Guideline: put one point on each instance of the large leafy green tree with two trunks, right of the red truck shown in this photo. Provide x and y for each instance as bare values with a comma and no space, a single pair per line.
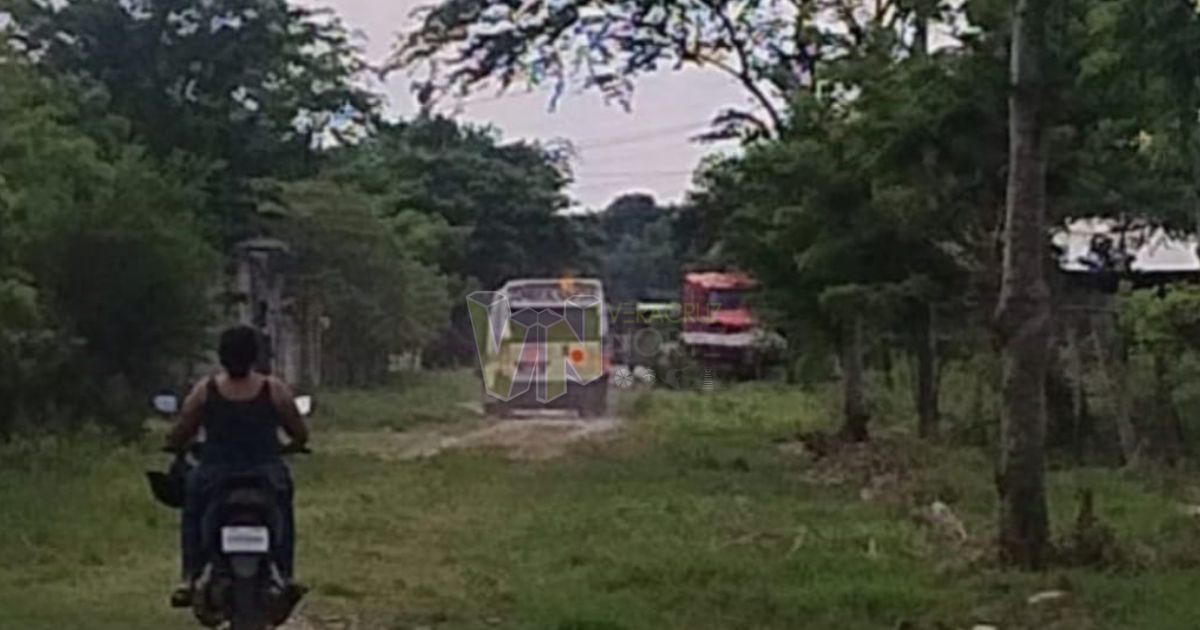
873,195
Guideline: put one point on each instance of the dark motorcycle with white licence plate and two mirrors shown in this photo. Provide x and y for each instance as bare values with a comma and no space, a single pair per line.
241,586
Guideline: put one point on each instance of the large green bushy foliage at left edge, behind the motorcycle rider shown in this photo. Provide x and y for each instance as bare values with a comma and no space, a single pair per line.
104,269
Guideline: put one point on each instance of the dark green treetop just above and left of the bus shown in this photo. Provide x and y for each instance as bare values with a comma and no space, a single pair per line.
481,212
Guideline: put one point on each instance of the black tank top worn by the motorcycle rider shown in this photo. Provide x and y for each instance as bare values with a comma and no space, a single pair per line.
241,434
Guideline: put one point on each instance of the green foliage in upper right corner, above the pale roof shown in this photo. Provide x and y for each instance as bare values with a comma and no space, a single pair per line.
1124,112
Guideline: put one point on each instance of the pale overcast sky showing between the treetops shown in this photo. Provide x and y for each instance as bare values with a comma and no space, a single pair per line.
645,151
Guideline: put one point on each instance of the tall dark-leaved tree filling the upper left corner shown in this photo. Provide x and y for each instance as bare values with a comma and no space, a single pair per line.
253,88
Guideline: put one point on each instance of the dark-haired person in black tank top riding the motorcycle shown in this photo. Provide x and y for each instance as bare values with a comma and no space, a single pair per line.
242,412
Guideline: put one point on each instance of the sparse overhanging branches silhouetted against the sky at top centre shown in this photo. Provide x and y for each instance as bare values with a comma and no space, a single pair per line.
773,49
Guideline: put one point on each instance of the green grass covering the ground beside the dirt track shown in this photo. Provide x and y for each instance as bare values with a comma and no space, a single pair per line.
693,520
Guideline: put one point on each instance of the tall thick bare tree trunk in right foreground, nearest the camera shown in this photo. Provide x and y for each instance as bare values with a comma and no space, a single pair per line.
1023,315
